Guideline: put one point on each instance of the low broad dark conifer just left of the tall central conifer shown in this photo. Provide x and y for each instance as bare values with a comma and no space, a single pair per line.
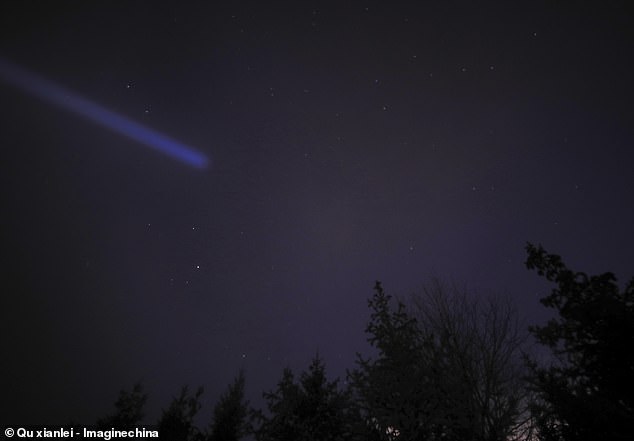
313,409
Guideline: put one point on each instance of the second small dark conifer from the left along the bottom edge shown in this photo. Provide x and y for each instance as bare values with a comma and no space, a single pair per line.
177,422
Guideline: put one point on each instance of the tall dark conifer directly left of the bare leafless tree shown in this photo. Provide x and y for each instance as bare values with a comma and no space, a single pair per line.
396,392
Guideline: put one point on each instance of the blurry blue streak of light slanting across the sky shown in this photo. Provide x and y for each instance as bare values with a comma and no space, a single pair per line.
42,88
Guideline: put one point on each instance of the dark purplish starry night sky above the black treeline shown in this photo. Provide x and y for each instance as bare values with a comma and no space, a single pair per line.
377,140
